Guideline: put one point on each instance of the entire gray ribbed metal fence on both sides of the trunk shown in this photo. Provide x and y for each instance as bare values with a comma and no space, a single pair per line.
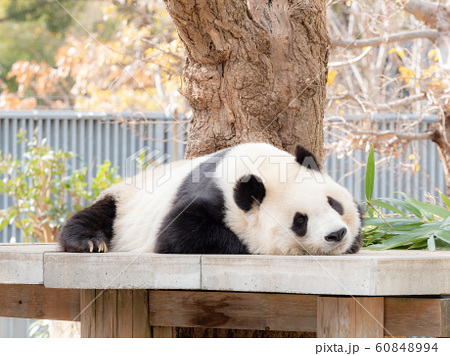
96,137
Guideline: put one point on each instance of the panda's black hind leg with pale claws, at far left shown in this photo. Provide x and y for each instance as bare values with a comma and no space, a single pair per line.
94,223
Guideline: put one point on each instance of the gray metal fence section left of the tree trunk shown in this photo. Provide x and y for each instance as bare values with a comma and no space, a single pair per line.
93,136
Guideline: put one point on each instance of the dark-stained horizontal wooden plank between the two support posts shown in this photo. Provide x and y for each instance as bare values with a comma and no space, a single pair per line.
230,310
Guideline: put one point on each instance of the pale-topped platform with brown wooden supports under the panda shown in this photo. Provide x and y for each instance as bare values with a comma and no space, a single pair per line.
371,294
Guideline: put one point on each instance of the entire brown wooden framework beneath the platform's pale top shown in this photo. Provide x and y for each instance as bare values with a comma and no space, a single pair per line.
142,313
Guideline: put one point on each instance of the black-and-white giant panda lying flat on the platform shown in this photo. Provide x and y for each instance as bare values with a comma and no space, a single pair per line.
249,199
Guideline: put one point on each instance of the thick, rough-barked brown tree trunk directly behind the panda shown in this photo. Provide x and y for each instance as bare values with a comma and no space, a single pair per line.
256,71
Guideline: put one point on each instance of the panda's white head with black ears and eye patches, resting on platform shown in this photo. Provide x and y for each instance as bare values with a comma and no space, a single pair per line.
289,206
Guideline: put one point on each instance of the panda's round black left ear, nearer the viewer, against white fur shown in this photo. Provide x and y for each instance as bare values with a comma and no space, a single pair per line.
249,190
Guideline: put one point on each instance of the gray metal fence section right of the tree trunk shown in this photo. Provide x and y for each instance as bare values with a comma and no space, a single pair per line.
393,173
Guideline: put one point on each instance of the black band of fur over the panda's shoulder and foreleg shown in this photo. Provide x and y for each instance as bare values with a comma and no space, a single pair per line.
196,222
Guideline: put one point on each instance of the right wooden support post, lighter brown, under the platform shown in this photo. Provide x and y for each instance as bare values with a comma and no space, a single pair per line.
350,317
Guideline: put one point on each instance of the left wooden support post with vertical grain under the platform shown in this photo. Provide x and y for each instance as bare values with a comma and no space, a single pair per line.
114,313
